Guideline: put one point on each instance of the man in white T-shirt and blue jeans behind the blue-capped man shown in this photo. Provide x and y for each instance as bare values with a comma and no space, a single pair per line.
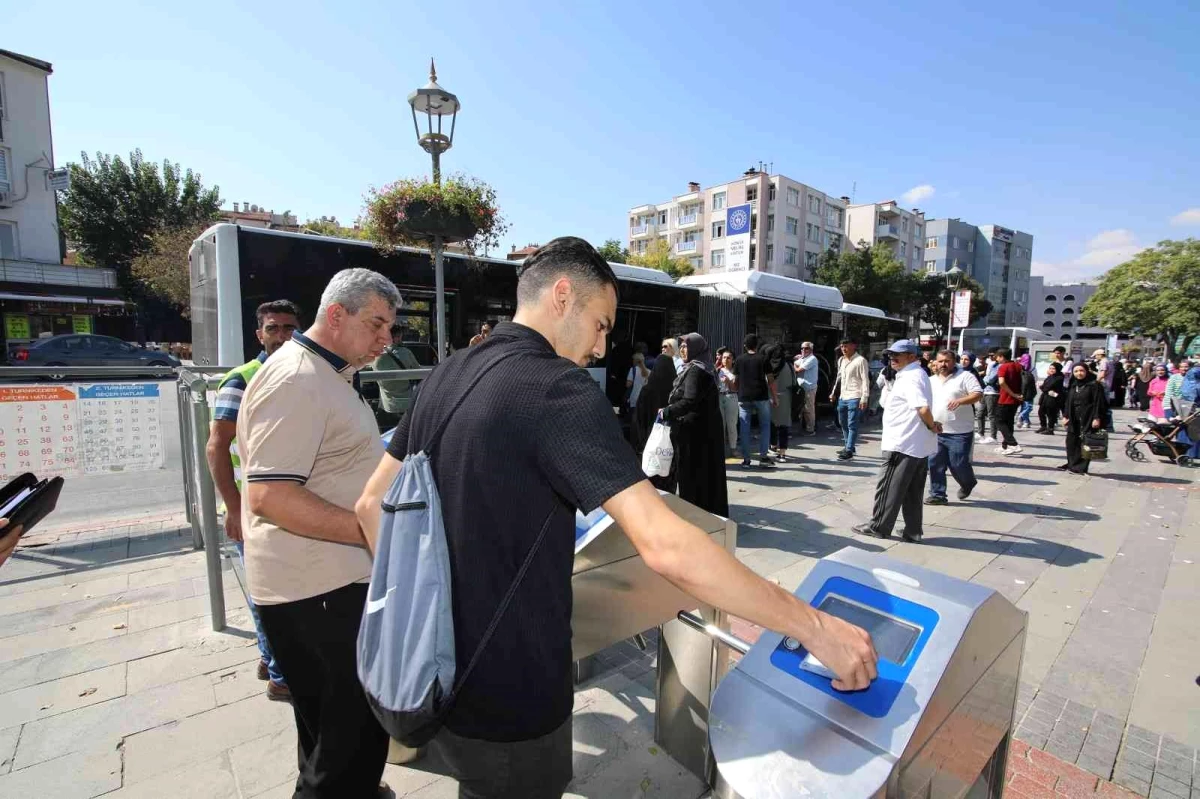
956,391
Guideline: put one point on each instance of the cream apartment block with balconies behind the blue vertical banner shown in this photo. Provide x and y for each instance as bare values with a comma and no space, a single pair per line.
791,224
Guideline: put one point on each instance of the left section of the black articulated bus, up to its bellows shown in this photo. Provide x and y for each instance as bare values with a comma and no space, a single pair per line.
235,269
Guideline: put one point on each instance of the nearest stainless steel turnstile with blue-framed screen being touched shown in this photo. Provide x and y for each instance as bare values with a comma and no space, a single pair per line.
935,724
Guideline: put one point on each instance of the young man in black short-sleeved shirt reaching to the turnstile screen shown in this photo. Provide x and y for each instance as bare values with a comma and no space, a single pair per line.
560,447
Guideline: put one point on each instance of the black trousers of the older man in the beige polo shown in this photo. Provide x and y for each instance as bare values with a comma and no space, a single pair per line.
341,748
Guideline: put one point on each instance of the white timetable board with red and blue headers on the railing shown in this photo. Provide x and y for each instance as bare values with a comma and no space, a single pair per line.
81,429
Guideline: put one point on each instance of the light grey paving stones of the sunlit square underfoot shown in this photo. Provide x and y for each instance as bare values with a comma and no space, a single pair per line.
115,683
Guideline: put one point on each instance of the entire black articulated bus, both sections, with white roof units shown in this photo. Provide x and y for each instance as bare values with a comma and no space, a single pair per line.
235,269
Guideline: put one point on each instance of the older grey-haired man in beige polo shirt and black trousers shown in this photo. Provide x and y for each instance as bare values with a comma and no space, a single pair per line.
309,444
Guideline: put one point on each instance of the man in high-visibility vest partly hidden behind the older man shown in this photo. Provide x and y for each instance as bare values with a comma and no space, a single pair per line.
275,325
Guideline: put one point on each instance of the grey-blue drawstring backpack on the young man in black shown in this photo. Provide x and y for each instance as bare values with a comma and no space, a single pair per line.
406,648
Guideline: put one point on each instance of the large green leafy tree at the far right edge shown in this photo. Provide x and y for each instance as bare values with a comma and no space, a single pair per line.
1155,293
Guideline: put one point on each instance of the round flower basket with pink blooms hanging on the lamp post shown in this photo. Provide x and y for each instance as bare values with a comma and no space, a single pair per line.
415,212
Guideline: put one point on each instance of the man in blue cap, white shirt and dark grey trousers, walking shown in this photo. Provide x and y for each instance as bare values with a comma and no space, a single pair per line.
910,438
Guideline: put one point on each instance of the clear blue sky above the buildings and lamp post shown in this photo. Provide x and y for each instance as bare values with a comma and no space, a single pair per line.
1076,124
